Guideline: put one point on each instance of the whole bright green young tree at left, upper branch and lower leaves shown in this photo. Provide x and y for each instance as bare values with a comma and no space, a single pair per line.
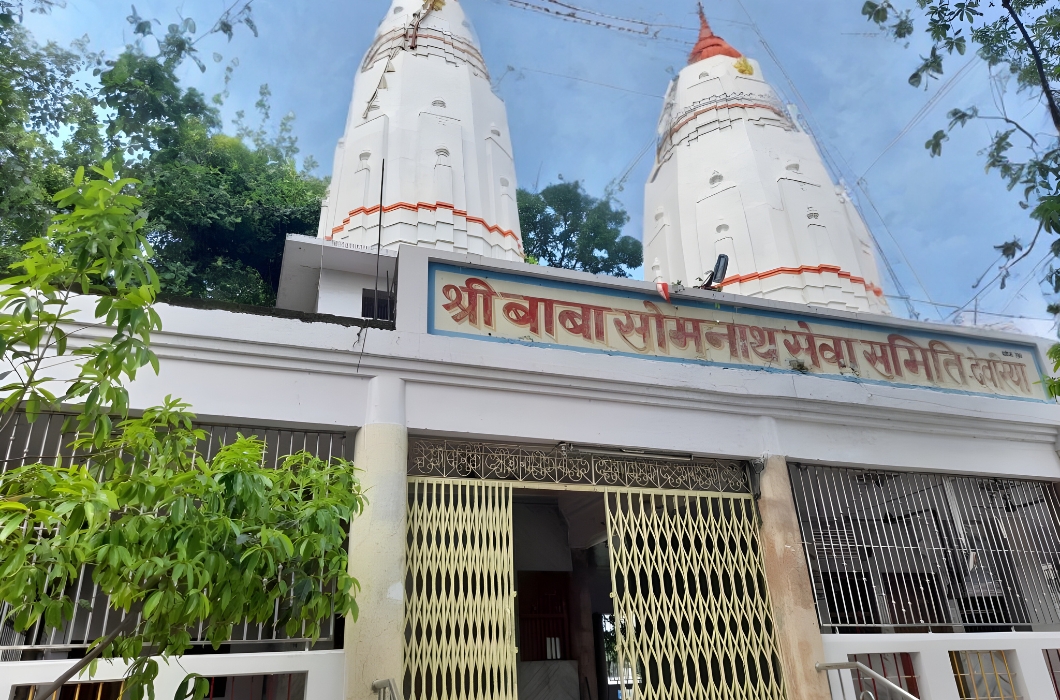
175,541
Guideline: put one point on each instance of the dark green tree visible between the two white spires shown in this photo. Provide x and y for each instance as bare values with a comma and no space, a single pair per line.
563,226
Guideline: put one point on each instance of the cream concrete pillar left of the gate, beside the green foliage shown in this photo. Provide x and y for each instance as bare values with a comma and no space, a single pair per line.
374,644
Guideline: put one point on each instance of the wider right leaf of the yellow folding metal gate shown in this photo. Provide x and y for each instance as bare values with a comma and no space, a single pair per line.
693,612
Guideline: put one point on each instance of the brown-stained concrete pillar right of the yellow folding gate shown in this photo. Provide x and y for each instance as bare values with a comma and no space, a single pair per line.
788,576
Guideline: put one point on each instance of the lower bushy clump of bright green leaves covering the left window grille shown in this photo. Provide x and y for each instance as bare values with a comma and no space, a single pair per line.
182,541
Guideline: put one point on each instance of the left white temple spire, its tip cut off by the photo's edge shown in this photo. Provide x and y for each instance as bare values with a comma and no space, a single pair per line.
422,101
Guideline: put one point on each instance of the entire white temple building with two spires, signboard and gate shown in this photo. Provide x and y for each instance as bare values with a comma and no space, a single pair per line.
589,488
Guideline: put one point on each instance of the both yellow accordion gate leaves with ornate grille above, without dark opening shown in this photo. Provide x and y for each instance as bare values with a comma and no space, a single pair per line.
693,612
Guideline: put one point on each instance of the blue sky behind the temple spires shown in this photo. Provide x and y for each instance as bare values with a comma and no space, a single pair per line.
937,219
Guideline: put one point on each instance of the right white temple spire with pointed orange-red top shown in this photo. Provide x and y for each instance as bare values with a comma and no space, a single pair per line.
735,176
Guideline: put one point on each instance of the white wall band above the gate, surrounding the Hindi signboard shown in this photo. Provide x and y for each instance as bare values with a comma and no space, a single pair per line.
277,371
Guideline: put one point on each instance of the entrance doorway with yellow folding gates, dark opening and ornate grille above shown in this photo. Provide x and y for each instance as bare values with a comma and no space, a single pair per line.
520,586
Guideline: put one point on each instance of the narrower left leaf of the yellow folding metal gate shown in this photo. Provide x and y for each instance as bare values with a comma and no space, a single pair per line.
460,612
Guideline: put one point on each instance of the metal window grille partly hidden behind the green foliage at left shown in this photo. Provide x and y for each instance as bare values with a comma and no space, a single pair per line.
23,443
